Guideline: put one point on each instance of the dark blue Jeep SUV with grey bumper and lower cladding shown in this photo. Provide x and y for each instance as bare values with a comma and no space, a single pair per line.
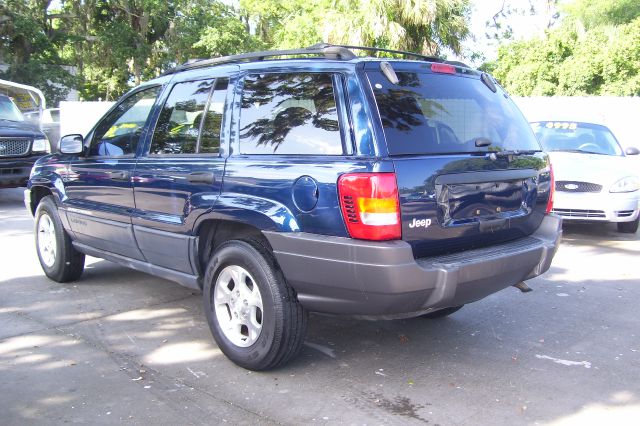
285,182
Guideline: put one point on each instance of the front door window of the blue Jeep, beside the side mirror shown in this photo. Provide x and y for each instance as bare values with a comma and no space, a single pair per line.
119,132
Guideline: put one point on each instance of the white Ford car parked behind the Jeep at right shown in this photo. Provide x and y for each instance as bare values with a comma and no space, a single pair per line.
595,180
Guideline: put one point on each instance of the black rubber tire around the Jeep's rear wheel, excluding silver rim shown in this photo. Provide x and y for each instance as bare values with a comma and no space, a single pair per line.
283,319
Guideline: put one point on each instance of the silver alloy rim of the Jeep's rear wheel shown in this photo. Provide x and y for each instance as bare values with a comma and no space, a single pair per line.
238,306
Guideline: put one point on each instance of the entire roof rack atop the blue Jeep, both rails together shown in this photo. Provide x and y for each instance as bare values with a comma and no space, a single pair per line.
328,51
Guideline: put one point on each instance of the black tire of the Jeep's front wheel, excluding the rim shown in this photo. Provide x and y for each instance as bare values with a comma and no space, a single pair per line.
68,263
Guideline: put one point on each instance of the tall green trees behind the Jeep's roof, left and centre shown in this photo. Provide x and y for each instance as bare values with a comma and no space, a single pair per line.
108,46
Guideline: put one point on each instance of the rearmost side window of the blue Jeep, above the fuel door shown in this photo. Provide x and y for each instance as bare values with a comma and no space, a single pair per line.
293,113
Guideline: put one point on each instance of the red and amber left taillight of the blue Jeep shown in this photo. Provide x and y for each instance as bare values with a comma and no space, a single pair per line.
370,206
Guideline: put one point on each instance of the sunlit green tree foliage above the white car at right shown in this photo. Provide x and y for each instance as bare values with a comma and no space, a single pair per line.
595,50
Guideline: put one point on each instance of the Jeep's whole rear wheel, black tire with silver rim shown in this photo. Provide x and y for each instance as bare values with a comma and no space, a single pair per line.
253,314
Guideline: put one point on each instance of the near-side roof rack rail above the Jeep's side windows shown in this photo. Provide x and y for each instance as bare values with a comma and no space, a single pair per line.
325,50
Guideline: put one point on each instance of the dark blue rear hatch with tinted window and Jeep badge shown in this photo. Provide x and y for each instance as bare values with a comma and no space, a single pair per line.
469,169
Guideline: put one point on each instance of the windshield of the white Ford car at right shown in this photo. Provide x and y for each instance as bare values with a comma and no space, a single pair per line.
576,137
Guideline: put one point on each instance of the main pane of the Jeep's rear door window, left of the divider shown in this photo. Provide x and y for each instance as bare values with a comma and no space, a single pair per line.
179,123
